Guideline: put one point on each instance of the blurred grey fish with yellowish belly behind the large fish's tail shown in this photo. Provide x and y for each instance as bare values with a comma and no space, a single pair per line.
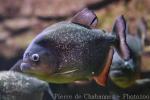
125,73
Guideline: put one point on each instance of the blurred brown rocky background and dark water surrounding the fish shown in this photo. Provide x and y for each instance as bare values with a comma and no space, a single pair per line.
22,20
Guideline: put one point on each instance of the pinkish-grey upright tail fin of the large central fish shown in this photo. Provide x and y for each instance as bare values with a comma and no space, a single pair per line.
120,30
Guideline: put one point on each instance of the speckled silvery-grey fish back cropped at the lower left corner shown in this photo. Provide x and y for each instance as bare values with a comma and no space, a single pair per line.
16,86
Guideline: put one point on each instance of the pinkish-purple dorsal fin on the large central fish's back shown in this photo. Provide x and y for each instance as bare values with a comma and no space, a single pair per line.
86,18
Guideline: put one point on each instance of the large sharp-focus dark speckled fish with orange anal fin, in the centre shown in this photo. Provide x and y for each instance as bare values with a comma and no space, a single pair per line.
75,50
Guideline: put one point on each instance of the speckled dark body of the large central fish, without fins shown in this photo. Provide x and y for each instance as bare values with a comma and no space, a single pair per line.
71,51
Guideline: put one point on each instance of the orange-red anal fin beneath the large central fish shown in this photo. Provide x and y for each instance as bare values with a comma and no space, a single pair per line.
102,78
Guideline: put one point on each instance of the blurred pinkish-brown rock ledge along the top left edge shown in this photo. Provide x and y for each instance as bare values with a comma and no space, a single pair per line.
27,8
